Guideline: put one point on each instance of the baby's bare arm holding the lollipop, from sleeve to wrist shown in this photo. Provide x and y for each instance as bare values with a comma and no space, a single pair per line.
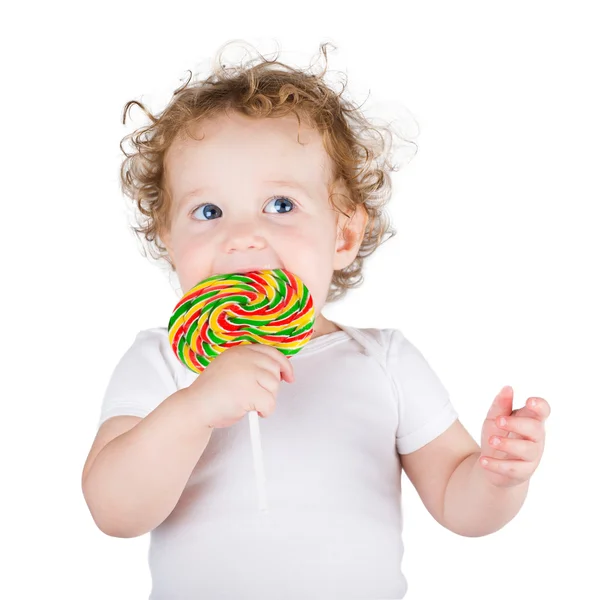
136,479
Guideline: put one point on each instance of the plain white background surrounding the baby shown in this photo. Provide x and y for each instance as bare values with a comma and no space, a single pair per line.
493,274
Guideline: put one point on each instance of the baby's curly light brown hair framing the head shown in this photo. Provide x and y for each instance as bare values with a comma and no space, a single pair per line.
357,148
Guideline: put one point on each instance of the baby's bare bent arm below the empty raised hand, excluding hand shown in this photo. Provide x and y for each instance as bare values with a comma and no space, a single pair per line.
453,488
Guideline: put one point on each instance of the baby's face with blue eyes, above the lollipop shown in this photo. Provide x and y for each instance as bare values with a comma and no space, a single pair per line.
249,196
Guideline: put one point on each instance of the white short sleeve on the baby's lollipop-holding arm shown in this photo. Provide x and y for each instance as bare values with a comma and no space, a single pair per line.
142,379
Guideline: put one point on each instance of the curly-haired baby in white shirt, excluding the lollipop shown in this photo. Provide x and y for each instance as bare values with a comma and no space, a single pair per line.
265,167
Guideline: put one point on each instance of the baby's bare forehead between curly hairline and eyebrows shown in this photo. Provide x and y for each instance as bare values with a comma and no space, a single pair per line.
265,148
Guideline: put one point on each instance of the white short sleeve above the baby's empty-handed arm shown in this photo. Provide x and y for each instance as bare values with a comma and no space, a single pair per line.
424,407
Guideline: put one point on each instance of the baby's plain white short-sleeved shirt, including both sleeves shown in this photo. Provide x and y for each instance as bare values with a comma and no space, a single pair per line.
362,396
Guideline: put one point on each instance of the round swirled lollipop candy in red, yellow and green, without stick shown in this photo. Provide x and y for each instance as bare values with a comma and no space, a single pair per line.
271,307
